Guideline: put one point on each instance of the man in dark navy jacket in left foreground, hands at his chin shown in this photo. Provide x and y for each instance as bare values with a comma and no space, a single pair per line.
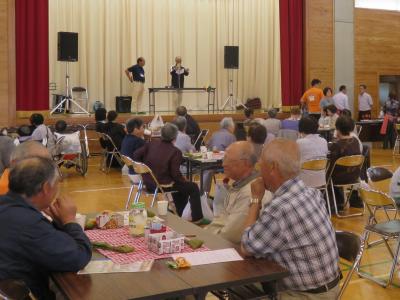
32,246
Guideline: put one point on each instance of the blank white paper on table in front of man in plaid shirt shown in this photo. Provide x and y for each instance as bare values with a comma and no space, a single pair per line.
210,257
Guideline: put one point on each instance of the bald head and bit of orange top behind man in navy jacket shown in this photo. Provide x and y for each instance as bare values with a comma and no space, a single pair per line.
22,151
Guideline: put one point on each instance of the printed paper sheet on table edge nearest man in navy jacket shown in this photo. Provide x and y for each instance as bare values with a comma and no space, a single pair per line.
107,266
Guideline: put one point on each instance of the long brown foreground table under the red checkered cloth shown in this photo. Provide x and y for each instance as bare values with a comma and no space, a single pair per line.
162,282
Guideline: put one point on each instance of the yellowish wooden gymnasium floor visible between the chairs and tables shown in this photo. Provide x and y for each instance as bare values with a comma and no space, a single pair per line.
98,191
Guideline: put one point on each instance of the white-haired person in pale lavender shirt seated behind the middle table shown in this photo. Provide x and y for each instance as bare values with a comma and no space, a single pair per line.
220,140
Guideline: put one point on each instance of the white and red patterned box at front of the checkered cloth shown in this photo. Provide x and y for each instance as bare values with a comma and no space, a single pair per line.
166,242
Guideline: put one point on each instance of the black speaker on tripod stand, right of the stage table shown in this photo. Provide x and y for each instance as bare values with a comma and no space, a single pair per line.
231,62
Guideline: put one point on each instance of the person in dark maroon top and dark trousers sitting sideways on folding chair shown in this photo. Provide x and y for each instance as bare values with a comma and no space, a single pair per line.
164,159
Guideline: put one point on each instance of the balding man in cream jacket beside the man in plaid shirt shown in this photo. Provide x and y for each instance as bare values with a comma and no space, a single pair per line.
238,165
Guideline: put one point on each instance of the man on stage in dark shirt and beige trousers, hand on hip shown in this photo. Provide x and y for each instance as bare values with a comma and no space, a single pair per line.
136,76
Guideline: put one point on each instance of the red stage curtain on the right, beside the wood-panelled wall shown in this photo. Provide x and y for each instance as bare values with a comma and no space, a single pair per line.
291,26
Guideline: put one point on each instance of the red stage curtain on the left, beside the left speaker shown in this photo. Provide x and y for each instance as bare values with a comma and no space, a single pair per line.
32,54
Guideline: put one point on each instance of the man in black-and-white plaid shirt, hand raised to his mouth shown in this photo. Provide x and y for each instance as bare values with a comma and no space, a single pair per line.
294,229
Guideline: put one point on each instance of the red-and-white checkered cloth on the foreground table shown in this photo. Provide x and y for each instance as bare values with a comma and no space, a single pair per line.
120,236
